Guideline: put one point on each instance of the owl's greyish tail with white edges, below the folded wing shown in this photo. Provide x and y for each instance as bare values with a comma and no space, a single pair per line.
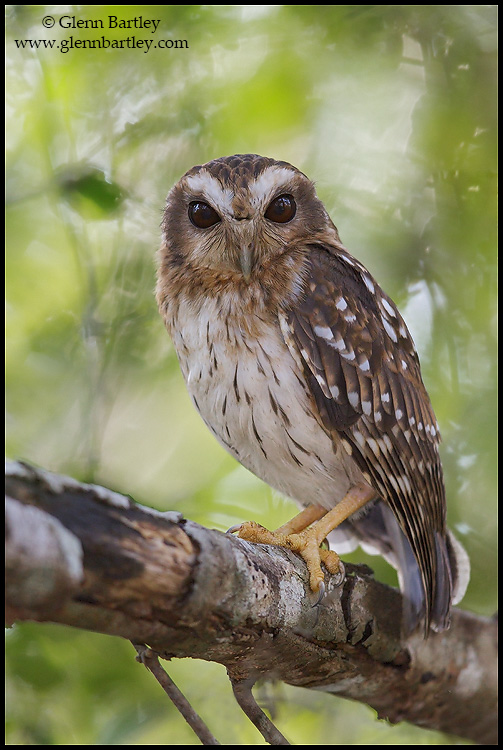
378,533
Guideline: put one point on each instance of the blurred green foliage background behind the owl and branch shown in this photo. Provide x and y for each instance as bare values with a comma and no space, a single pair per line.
391,109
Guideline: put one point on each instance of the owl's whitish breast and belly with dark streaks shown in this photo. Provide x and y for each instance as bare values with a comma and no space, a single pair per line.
251,395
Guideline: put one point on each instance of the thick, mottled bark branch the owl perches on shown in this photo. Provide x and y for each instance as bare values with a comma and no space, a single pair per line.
84,556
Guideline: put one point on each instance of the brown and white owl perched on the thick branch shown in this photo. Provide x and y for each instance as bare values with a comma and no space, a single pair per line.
304,370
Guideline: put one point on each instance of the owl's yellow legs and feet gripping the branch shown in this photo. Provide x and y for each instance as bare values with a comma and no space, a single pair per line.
305,539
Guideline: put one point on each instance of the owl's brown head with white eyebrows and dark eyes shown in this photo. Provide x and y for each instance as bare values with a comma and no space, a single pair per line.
238,215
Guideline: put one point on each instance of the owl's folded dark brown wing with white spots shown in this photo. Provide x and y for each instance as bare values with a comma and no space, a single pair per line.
363,371
